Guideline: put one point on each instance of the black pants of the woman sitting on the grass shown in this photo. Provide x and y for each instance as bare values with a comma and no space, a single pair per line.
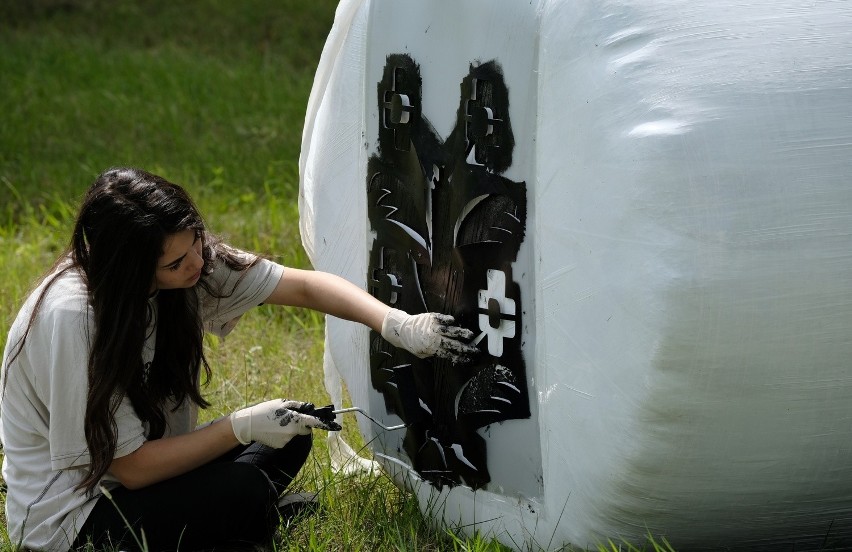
228,504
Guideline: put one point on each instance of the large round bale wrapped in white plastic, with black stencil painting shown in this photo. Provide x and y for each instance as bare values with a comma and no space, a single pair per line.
644,209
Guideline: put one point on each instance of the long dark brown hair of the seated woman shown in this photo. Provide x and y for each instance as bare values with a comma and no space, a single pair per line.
118,236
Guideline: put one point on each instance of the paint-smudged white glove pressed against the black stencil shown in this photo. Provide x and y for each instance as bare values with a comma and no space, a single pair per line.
428,334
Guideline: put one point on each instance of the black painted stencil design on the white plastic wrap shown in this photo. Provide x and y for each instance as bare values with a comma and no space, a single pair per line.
448,227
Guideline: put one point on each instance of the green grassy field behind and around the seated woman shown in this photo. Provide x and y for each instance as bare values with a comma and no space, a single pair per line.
210,94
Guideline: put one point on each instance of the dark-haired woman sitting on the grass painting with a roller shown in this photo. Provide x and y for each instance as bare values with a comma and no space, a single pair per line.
101,381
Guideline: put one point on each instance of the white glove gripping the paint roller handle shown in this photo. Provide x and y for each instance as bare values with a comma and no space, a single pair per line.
273,423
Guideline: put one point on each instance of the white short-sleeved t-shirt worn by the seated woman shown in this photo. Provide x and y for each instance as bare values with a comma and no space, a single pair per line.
43,406
